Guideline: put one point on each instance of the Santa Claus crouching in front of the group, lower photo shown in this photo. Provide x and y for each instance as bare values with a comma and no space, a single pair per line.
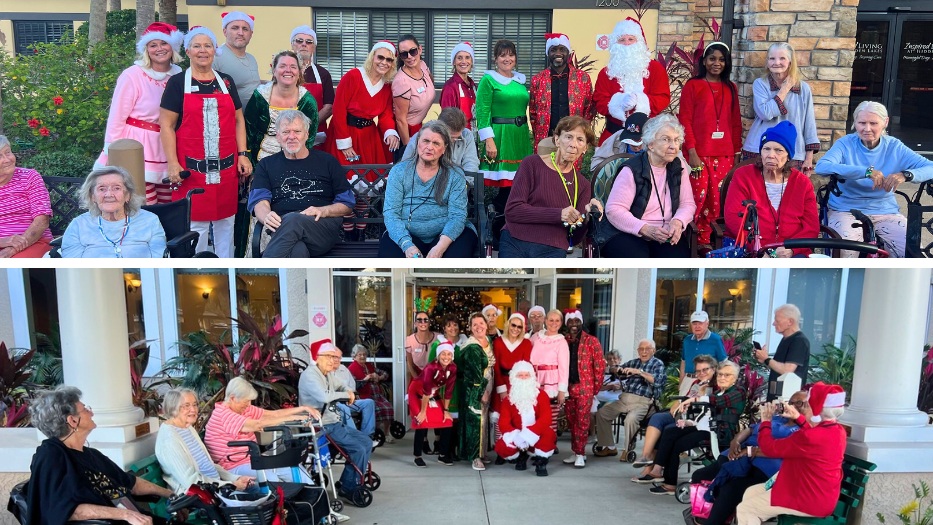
526,421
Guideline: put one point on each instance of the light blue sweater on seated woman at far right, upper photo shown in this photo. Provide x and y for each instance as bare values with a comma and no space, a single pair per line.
849,159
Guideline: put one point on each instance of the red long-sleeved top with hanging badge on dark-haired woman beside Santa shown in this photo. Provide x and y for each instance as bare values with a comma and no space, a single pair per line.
698,111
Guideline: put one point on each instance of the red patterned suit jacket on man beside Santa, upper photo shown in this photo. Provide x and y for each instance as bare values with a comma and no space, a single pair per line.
579,92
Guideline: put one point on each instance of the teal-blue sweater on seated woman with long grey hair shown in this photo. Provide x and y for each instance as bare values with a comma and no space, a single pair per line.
410,208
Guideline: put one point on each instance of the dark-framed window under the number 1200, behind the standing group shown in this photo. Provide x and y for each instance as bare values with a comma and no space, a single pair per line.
345,37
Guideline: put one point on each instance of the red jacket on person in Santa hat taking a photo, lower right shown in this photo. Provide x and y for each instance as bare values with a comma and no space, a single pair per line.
811,472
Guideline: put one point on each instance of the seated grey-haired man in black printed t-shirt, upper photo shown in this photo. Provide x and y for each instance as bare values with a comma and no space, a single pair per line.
299,194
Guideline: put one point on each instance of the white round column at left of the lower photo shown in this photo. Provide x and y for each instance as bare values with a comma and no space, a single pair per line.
95,348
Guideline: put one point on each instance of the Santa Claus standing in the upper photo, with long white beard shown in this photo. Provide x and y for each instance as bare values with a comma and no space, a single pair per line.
632,82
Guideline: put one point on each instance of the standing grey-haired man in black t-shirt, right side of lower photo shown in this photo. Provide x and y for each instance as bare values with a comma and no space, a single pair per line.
793,352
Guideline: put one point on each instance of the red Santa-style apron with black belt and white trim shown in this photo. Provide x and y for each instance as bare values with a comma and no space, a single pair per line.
209,152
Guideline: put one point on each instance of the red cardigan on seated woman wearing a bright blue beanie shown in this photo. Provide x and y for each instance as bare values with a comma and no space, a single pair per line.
799,218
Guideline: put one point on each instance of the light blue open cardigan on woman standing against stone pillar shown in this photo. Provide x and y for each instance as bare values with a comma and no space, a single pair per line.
799,108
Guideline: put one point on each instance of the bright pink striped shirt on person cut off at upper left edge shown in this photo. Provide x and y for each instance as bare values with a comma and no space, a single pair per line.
22,199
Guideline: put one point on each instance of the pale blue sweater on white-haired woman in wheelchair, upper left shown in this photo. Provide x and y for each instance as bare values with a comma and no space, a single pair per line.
144,237
